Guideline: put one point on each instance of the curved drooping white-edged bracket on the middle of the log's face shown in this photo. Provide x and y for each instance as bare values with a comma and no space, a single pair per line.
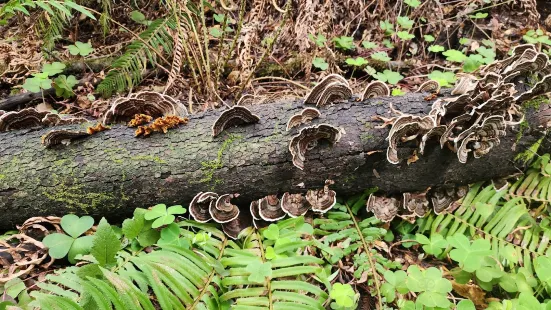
308,137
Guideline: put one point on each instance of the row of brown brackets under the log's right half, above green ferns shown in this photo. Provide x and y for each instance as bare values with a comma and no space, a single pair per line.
412,205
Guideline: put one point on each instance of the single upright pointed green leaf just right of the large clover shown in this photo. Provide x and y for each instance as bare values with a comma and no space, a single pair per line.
106,245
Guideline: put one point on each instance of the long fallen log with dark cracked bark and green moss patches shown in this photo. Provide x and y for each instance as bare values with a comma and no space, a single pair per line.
112,172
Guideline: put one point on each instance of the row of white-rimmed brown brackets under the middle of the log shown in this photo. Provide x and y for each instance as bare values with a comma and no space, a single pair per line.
207,206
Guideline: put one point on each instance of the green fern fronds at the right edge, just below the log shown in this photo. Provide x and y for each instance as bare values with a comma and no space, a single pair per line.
510,219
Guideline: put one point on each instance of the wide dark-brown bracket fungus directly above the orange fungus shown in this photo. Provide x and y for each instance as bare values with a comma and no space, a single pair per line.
149,103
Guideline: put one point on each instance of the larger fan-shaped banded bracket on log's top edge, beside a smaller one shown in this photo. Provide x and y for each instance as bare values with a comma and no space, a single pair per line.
333,88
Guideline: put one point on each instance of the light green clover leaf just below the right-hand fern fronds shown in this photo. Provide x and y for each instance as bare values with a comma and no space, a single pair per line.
469,255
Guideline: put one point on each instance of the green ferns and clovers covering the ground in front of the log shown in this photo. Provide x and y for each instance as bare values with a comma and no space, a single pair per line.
491,252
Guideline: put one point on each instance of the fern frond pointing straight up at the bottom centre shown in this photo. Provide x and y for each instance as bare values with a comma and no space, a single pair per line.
287,287
